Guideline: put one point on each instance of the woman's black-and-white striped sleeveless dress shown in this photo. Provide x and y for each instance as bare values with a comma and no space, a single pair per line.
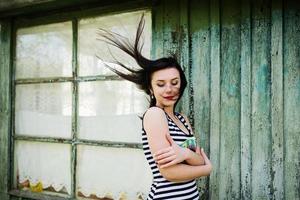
161,188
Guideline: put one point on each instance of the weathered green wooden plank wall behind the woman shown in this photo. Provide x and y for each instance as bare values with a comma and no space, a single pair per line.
242,60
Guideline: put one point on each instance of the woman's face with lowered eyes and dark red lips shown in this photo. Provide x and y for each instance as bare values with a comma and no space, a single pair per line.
166,86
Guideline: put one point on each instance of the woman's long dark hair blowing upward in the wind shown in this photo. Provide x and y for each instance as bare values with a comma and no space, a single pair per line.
141,77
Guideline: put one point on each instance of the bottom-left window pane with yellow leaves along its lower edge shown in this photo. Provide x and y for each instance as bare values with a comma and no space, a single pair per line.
42,167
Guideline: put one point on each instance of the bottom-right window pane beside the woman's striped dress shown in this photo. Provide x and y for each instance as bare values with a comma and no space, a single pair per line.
120,173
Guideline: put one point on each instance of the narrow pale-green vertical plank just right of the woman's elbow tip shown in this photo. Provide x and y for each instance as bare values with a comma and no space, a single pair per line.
215,55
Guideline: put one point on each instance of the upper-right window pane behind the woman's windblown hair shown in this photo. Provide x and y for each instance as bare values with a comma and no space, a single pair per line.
88,46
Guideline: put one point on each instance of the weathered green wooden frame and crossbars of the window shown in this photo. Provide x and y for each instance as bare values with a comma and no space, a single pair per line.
74,17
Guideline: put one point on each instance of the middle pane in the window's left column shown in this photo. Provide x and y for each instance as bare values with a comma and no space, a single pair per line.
44,110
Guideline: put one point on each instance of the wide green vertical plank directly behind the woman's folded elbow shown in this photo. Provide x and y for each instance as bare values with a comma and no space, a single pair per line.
200,77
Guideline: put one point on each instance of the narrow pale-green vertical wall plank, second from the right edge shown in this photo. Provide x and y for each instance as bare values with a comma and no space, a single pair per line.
277,188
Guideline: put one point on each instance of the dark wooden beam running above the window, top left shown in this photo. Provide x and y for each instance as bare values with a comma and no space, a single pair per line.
75,7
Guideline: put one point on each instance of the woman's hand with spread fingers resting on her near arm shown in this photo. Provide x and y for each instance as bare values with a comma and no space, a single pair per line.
171,155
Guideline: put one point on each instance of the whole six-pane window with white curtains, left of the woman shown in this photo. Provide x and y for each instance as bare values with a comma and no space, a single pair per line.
76,126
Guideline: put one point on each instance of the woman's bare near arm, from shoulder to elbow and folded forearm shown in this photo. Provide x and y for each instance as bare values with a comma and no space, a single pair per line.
156,127
